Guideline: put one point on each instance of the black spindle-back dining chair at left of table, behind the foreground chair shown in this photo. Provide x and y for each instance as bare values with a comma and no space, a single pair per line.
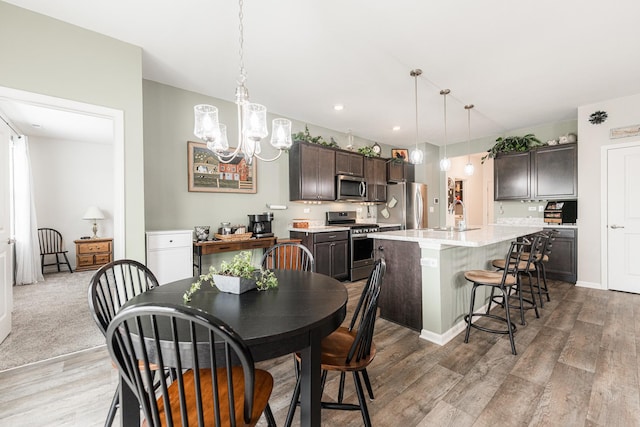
111,287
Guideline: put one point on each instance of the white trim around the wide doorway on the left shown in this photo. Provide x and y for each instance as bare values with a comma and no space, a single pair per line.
117,116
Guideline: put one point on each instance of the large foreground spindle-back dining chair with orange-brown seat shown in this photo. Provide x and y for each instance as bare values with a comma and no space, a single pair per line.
216,381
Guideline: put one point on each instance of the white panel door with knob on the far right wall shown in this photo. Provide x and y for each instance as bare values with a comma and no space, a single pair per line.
623,219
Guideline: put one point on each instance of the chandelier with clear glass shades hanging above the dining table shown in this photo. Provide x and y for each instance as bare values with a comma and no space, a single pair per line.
252,122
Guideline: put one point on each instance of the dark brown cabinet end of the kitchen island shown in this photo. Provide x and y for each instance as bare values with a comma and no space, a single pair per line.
401,293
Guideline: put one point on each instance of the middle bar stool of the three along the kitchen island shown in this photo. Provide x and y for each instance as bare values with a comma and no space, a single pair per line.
525,267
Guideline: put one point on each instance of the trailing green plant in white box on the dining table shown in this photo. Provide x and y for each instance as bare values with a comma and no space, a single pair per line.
240,266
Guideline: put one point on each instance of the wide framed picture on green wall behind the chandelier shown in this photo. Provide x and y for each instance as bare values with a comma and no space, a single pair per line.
207,174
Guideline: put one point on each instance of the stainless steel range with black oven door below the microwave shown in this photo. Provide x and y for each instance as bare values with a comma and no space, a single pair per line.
361,257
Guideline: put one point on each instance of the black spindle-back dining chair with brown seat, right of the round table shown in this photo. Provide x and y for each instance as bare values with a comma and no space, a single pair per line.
350,349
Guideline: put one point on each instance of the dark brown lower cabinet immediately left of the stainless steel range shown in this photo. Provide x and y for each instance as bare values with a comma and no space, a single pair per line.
330,251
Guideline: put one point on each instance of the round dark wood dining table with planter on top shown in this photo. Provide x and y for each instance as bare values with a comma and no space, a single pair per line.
294,317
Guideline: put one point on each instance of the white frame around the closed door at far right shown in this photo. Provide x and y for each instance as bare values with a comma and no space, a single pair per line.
604,212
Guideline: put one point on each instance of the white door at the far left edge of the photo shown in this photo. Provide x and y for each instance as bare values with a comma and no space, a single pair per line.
6,290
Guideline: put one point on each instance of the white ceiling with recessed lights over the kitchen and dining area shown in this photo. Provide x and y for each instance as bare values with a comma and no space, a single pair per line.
522,63
